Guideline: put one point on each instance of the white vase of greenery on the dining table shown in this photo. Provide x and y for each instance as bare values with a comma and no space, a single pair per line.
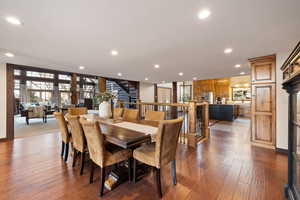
104,99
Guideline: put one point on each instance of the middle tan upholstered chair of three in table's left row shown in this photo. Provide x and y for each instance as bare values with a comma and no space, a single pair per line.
78,139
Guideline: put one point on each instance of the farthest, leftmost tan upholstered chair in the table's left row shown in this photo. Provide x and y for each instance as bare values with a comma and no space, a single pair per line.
65,135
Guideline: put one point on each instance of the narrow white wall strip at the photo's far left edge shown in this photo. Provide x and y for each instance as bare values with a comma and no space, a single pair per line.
2,100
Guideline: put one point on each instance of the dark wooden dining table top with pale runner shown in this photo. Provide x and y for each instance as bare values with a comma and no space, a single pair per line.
127,134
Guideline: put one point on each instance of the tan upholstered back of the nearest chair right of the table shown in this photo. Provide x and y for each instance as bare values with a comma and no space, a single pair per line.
166,141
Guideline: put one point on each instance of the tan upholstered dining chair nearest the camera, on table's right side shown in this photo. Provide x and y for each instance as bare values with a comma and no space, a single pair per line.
162,152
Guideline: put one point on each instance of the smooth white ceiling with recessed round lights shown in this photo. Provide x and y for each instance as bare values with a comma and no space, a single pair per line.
65,34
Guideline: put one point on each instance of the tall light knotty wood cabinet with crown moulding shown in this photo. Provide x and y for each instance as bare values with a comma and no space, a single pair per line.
263,106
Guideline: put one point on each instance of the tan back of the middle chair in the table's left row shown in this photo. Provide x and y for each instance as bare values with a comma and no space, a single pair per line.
78,138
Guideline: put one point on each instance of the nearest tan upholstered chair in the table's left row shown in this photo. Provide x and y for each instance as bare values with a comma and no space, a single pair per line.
99,152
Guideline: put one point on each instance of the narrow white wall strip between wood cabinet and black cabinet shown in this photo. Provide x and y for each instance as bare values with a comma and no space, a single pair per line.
281,105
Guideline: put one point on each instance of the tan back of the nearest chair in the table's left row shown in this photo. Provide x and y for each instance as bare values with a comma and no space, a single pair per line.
95,140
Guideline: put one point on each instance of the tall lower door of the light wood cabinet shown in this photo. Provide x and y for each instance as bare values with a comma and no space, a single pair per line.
263,114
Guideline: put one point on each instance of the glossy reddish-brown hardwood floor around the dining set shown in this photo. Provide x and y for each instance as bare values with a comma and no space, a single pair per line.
225,167
